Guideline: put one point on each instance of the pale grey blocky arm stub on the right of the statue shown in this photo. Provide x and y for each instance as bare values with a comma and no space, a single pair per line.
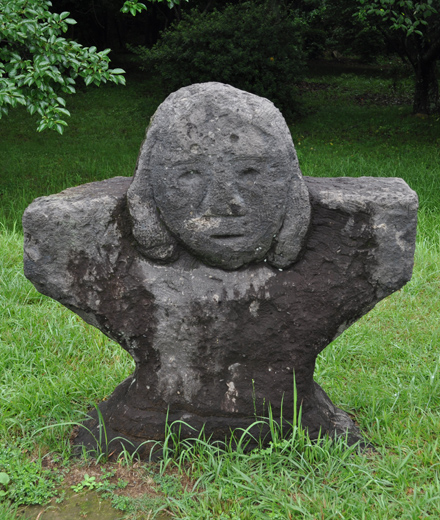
388,207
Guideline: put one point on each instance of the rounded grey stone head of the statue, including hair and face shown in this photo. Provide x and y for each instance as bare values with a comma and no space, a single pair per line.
218,175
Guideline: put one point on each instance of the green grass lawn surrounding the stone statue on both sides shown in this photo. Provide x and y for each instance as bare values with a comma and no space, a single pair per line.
385,369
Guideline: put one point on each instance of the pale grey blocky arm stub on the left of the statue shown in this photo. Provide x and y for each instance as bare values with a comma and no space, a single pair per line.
72,240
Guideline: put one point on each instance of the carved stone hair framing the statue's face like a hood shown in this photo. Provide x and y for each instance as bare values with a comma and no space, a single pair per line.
154,239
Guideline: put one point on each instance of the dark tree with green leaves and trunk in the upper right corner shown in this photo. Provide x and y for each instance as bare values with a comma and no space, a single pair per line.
412,29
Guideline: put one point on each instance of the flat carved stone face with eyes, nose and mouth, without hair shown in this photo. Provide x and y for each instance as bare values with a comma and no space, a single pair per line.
225,198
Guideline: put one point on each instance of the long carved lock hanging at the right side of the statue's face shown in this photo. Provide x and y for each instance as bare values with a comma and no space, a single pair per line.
289,241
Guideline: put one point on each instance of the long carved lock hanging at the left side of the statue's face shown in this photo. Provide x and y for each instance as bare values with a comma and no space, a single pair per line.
154,239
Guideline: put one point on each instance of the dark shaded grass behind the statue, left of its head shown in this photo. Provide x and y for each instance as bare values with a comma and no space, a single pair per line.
102,140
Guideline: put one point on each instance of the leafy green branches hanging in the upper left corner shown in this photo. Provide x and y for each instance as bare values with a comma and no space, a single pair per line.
39,66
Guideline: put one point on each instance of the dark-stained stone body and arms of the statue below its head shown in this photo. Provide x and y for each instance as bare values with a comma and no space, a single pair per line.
205,339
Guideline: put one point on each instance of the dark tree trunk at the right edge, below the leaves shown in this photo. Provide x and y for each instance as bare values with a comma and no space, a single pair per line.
426,96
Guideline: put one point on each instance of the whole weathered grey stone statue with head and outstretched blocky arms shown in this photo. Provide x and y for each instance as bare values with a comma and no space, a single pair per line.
220,269
